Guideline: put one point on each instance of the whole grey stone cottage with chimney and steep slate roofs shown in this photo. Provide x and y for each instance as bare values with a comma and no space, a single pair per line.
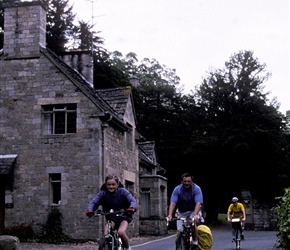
60,137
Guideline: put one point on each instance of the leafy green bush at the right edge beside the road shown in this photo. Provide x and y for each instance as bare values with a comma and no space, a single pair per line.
283,212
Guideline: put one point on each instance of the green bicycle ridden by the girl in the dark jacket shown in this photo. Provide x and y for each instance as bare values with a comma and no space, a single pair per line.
111,241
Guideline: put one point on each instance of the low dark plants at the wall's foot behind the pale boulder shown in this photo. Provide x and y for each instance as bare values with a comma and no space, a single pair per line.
23,231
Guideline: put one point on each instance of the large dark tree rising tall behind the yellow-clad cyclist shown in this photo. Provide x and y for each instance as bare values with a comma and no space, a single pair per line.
242,134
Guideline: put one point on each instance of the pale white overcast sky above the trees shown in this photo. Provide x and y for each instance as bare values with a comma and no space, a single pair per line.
194,36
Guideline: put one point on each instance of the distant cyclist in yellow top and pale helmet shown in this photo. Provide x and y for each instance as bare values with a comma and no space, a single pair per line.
236,210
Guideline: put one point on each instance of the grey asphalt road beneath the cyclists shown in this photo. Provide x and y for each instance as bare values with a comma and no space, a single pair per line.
254,240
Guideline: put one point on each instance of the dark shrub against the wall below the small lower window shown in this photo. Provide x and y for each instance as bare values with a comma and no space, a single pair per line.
52,231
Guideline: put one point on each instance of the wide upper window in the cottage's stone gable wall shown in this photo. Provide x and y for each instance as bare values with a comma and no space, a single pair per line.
59,119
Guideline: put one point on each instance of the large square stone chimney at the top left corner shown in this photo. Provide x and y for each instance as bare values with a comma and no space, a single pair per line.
24,29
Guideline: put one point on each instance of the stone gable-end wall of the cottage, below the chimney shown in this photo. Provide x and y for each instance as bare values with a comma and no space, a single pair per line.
25,86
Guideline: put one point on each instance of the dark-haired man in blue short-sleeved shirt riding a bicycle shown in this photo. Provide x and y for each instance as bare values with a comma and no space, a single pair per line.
187,198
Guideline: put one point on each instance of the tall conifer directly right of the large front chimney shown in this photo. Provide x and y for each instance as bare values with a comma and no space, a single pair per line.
59,26
